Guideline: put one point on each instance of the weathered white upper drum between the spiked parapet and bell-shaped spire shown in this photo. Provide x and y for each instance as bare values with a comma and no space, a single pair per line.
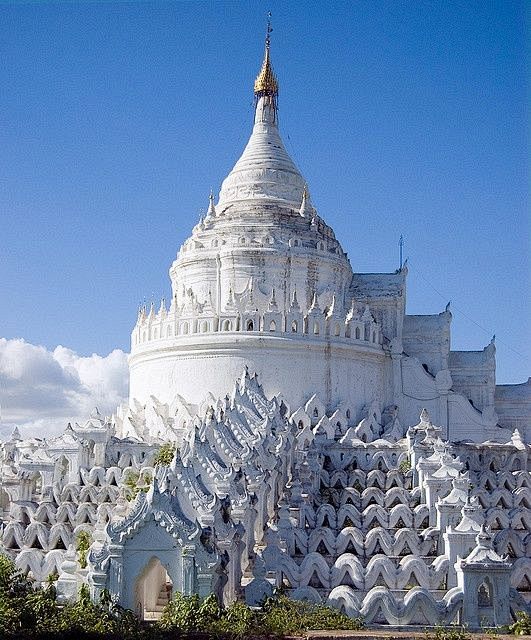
267,257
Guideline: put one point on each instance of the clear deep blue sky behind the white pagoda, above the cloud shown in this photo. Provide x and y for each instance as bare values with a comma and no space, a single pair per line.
406,118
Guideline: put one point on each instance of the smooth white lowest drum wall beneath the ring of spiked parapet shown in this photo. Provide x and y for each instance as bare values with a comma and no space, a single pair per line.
295,367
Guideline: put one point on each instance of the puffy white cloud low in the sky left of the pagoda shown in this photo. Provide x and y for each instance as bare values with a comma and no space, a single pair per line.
42,390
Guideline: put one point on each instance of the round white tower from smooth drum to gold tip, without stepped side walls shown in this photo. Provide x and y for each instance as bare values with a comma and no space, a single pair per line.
263,283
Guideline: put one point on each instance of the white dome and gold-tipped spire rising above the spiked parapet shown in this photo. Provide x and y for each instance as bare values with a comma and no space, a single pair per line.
263,227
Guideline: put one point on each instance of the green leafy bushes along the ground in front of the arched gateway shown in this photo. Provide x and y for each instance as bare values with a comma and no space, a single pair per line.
27,611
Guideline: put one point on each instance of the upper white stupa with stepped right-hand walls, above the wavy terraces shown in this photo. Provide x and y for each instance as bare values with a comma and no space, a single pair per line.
263,282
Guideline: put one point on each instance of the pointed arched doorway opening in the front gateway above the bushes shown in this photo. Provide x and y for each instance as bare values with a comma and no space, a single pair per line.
153,590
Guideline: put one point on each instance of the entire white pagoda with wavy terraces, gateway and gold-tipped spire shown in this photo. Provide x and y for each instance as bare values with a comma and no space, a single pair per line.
290,388
